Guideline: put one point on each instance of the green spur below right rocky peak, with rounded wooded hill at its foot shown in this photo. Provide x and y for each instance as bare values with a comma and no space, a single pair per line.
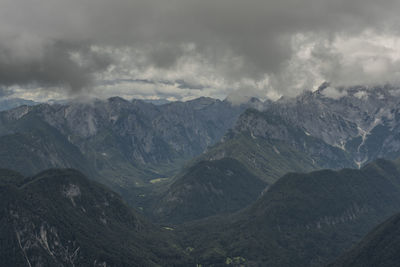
264,146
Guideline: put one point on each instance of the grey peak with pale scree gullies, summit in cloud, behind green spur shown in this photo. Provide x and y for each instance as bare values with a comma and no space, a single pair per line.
363,122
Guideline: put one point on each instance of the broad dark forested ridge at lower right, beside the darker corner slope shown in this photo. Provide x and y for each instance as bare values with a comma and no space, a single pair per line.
301,220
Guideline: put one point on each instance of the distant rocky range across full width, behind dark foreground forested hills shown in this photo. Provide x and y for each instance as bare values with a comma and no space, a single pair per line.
130,145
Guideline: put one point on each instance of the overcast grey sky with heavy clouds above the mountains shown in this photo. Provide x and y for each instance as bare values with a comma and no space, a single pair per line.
182,49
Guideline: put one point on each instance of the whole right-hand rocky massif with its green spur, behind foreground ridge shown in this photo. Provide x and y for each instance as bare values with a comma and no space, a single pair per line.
309,132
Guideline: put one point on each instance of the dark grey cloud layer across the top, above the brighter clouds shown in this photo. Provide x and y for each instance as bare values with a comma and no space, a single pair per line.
243,38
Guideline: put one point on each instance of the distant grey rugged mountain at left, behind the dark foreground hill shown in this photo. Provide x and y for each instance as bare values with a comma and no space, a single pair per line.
124,144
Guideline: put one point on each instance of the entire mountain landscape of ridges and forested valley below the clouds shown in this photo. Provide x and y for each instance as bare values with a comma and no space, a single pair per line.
220,184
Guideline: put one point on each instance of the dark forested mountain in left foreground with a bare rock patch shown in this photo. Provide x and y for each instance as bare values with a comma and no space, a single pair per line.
60,218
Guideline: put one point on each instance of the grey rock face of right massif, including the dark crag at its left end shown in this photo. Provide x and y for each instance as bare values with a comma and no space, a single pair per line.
363,123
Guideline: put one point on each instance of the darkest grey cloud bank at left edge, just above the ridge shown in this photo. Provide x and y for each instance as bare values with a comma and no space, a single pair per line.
55,67
